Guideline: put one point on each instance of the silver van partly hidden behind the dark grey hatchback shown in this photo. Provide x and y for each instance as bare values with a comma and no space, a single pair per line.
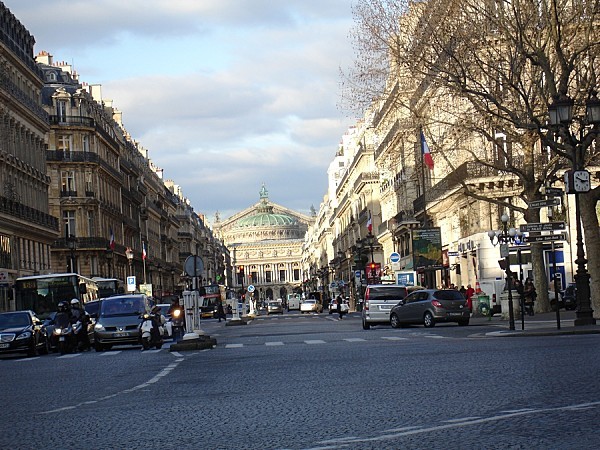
379,301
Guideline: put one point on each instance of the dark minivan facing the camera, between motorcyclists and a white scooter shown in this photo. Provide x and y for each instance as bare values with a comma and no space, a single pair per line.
118,320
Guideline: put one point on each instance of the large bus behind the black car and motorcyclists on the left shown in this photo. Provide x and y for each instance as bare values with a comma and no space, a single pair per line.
42,293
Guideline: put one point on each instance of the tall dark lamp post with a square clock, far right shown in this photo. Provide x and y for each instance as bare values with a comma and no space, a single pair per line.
577,182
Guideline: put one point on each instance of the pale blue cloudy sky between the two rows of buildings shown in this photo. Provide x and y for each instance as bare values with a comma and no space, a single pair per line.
224,94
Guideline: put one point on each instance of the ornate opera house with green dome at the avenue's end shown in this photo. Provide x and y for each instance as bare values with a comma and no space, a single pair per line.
265,244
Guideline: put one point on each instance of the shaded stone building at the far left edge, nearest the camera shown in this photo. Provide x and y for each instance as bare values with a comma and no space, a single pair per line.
27,229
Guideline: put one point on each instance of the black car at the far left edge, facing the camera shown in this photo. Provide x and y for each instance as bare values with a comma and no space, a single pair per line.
22,332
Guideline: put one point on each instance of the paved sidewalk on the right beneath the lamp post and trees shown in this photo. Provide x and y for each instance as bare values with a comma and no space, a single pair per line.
544,324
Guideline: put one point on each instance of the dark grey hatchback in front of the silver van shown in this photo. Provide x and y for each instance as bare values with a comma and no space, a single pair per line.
429,306
